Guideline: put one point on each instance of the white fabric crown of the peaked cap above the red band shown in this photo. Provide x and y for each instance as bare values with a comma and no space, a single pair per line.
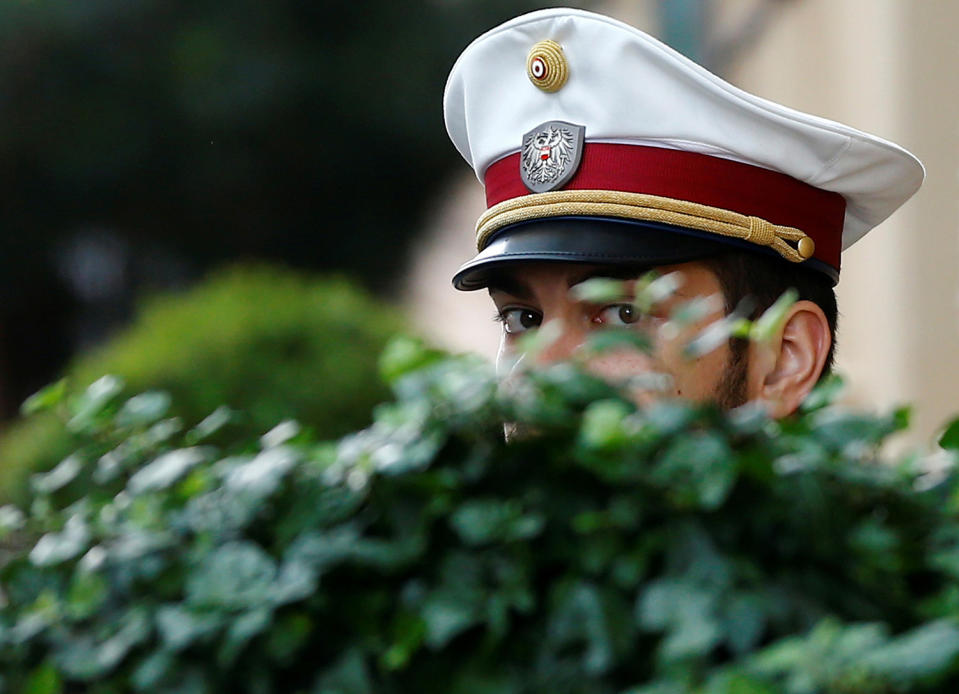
626,88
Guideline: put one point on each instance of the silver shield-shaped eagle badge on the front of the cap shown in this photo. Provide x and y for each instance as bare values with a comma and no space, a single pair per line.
551,154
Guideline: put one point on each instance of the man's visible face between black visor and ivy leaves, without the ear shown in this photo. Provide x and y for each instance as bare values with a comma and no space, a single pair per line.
535,294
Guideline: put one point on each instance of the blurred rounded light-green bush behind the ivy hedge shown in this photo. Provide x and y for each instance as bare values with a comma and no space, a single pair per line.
269,342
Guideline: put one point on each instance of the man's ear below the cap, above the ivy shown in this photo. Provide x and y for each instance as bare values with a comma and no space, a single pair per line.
783,370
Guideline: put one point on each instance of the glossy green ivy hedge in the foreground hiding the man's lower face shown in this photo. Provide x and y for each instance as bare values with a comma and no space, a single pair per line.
664,550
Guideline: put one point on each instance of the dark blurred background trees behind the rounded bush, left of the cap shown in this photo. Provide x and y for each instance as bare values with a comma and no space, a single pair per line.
143,142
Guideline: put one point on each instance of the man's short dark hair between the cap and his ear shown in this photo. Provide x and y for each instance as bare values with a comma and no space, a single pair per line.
748,276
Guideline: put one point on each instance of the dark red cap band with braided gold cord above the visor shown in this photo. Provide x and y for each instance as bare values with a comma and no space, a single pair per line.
683,188
